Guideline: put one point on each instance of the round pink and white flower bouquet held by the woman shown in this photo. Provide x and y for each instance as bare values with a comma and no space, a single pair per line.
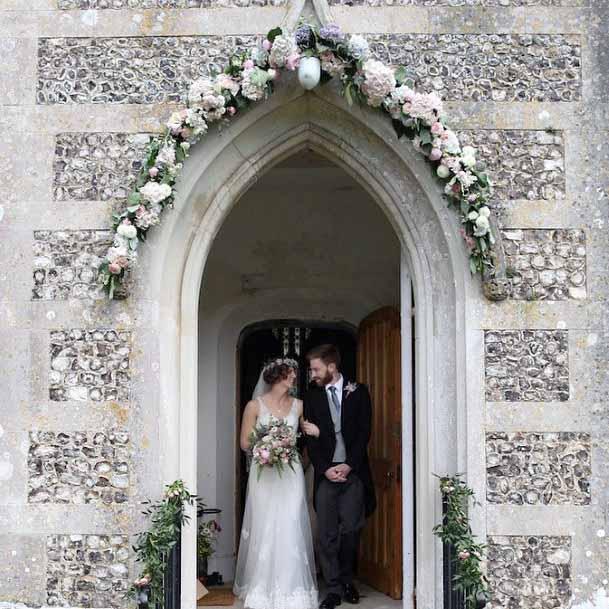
274,445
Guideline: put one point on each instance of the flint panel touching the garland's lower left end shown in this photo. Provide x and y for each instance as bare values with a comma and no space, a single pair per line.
66,263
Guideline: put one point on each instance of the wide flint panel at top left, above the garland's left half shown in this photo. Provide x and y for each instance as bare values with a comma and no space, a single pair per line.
135,70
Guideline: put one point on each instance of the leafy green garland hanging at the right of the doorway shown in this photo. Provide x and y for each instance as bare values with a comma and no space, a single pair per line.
456,531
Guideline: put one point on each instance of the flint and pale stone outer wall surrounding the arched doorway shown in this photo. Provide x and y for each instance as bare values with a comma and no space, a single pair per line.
83,84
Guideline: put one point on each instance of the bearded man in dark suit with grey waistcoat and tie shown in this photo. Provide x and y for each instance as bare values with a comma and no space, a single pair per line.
344,493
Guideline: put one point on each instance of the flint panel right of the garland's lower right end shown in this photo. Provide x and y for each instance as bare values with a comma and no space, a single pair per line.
546,264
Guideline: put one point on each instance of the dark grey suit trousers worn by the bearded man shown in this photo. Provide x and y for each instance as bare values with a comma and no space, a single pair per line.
340,517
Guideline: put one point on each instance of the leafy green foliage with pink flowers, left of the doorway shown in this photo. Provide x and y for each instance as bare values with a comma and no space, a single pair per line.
153,546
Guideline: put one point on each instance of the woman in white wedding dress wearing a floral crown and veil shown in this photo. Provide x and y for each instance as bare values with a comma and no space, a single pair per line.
275,565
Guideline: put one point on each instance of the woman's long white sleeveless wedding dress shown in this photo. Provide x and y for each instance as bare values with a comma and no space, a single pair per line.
275,566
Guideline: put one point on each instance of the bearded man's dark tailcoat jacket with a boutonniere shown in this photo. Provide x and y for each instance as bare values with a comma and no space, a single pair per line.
356,421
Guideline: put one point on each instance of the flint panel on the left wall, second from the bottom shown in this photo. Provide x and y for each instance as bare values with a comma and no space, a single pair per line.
78,467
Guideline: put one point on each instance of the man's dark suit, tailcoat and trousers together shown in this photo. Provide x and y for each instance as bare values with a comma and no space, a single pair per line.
341,506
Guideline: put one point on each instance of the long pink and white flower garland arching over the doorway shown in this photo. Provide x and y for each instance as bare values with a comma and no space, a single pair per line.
249,78
